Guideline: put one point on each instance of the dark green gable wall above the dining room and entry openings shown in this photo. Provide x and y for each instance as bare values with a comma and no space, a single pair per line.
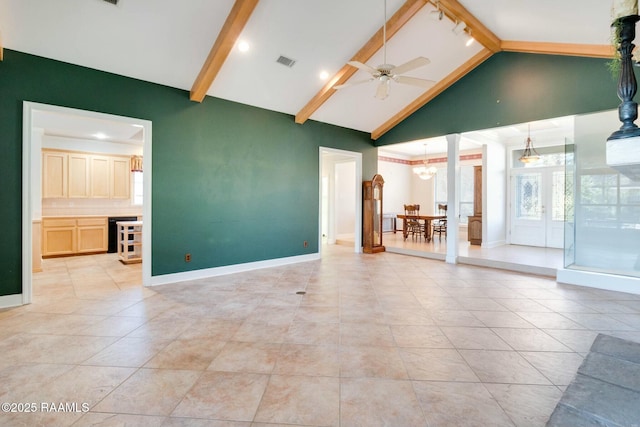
511,88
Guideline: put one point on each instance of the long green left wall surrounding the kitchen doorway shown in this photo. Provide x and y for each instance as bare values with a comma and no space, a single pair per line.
231,183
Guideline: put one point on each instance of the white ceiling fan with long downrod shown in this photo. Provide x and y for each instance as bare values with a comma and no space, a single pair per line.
385,73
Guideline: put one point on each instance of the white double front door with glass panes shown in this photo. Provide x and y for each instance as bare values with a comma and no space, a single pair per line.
537,207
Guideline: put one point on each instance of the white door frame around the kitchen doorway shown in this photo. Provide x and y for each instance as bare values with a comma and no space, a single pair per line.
31,158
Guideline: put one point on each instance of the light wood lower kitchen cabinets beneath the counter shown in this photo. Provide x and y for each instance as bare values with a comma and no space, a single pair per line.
73,235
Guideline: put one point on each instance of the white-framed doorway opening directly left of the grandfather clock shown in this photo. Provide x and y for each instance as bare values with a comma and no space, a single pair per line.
340,198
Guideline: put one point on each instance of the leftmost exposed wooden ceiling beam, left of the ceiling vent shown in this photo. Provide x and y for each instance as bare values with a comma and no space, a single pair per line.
237,19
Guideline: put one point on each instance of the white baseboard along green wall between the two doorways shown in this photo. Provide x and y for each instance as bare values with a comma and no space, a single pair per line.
230,269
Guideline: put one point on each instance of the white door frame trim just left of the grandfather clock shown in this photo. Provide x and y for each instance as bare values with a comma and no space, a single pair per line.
357,158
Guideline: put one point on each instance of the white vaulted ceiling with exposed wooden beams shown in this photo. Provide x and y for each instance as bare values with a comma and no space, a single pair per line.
194,45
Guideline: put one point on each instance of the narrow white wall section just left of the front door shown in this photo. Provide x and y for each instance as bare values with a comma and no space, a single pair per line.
494,195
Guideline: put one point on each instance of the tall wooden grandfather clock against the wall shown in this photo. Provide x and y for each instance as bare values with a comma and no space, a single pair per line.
372,221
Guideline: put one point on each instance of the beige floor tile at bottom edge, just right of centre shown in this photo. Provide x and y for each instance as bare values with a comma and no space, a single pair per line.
379,402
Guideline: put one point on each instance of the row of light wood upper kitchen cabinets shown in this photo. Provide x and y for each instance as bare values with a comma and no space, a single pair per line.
85,175
